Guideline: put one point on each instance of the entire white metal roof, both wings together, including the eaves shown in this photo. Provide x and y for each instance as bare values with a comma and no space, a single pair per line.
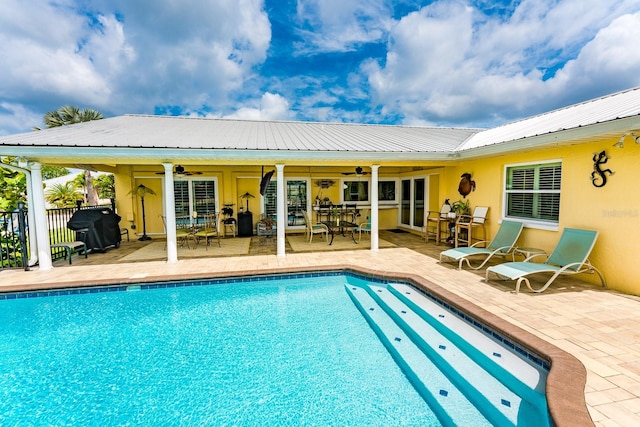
154,136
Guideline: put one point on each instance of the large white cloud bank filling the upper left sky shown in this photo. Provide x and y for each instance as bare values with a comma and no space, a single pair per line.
122,56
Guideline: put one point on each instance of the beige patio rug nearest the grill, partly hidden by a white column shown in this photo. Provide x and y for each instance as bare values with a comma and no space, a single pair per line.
157,251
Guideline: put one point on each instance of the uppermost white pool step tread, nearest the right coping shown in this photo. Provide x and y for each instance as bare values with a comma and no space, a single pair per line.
493,351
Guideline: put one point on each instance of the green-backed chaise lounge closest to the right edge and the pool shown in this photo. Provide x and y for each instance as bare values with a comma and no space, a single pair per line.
569,257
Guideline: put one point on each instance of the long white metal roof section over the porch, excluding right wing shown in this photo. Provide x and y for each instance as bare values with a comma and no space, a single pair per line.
142,131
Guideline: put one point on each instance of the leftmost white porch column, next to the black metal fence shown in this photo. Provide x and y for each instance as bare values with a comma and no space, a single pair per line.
40,218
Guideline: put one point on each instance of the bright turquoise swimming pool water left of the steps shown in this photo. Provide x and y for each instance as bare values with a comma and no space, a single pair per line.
255,352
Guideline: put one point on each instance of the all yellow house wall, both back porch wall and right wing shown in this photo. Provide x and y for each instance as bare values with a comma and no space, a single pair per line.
613,210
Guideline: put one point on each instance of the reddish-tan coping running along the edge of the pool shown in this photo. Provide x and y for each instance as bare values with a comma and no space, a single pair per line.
567,377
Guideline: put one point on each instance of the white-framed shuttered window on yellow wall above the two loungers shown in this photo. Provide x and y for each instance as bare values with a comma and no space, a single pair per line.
533,192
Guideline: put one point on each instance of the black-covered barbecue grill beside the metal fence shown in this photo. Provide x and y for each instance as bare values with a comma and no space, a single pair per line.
97,228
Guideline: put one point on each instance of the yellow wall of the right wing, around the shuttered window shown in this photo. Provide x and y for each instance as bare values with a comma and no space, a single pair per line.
612,210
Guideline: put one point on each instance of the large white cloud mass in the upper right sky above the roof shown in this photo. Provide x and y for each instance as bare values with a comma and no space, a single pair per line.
449,64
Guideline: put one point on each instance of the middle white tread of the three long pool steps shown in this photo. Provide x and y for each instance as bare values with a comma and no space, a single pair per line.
485,391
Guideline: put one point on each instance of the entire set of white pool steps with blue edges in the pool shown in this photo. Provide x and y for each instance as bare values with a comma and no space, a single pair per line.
398,312
